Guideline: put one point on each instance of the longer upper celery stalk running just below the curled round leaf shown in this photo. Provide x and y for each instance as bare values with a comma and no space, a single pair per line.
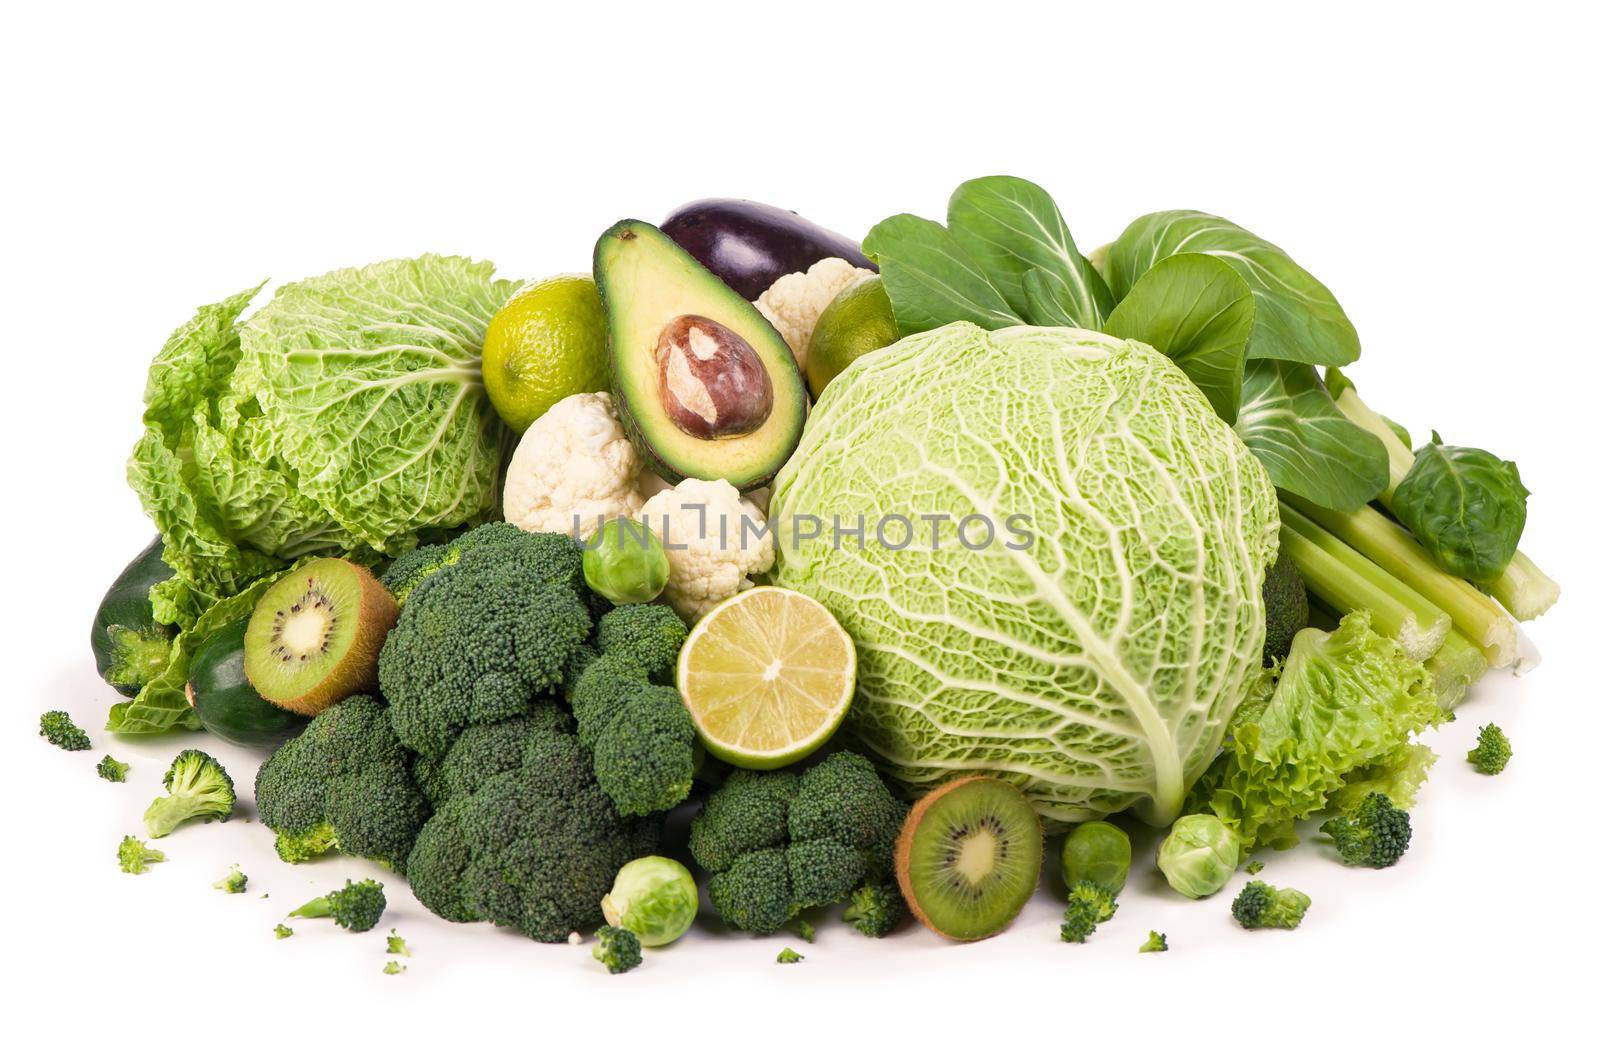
1391,547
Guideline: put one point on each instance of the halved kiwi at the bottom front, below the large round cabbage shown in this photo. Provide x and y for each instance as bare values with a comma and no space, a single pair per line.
969,857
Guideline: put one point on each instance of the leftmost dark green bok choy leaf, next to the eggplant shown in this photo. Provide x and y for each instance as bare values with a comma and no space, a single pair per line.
930,279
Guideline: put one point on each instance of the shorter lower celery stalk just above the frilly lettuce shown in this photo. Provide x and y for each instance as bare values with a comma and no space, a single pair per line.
1348,582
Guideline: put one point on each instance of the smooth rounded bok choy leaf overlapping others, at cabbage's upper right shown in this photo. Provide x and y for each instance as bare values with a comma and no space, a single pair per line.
1199,313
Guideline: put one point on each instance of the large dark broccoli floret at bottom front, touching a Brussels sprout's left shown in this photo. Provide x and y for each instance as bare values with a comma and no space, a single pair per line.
534,849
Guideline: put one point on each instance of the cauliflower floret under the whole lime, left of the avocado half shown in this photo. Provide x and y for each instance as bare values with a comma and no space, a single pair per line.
574,465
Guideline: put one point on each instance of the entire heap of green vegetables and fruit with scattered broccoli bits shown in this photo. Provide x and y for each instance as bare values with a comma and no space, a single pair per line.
1220,595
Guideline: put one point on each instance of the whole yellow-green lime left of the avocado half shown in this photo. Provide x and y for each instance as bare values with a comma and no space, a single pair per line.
545,345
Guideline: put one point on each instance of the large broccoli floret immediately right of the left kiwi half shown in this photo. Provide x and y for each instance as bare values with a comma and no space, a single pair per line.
482,640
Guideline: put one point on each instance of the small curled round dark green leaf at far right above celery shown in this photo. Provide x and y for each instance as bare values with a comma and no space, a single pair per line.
1466,507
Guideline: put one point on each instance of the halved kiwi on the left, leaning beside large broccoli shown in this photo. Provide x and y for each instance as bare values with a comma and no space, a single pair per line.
316,633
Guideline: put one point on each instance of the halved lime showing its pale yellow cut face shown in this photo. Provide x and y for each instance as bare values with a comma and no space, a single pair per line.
767,676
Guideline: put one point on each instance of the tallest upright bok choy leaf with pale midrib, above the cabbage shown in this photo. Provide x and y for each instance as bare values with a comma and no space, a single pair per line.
1010,228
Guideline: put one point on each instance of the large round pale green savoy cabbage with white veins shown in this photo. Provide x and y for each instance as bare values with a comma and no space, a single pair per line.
1094,667
